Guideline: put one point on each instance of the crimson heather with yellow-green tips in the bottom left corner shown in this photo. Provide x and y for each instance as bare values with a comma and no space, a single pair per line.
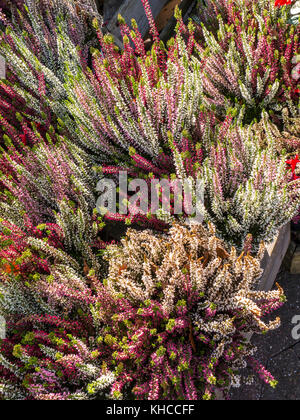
48,358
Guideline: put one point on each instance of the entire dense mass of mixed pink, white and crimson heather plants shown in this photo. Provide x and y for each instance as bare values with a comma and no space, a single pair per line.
162,311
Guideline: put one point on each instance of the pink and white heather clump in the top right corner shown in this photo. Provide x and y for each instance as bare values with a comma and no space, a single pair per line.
249,58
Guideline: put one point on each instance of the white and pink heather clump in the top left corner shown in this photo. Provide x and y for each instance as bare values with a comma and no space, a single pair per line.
37,29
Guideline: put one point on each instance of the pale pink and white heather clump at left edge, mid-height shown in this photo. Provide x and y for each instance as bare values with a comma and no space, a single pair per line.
38,179
